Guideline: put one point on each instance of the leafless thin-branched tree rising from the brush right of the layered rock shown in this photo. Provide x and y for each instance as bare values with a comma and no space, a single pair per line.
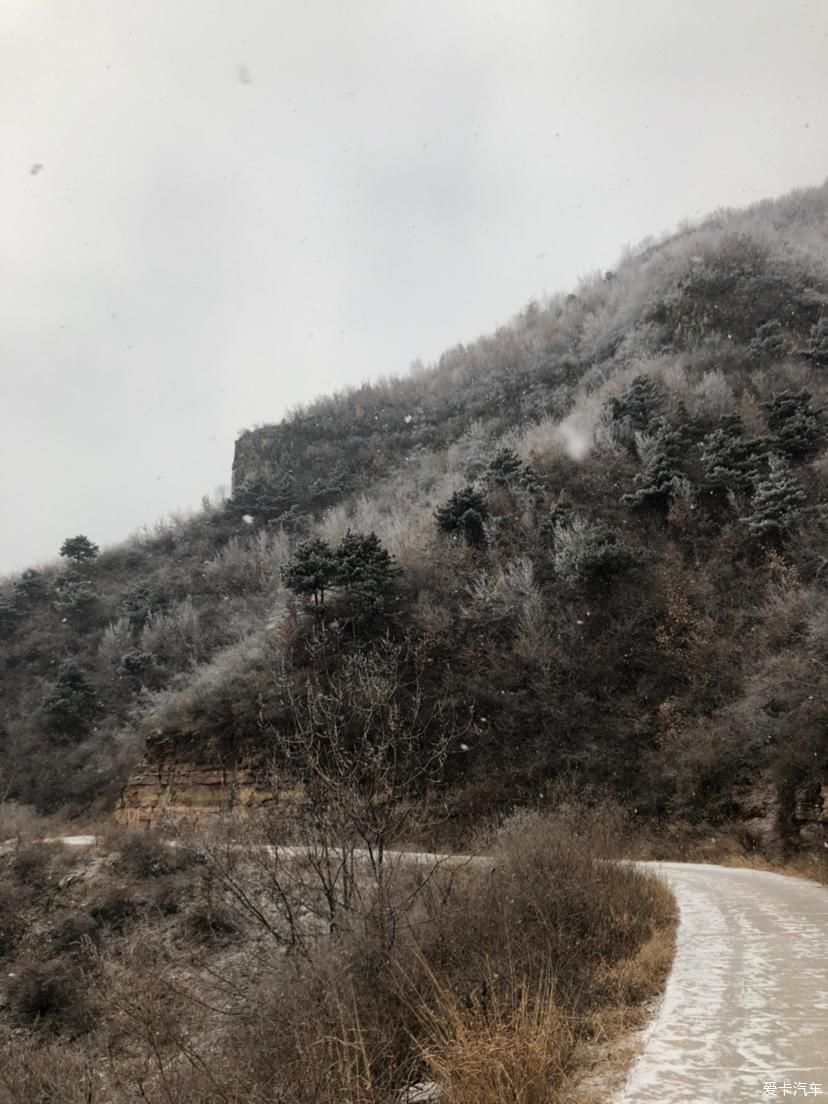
357,774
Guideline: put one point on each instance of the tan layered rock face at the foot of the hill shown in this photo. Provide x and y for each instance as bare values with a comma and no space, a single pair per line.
172,793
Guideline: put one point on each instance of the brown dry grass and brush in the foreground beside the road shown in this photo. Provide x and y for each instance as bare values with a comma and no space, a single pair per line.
498,980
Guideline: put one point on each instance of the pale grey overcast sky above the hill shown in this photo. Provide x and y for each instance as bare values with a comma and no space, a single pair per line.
214,211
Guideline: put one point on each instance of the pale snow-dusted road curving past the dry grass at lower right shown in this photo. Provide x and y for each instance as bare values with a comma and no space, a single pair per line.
745,1017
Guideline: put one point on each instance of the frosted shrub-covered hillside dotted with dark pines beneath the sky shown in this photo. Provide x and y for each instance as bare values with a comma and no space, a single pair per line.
607,530
